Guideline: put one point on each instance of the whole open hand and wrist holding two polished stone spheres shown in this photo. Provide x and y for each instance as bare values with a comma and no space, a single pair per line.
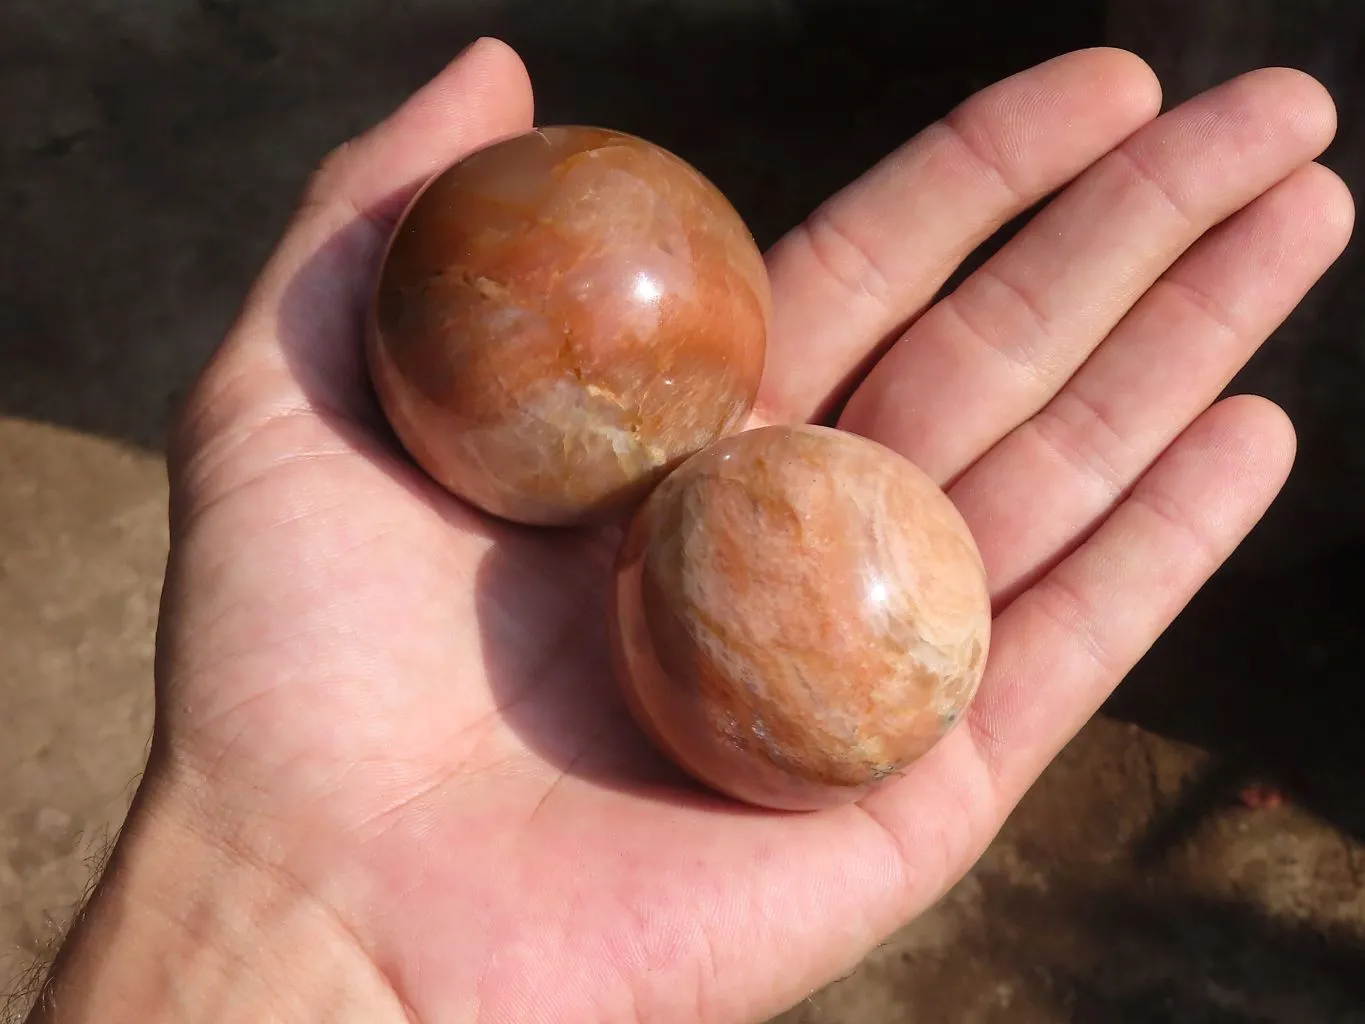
390,779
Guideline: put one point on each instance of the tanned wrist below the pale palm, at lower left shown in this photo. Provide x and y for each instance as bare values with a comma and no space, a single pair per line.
182,929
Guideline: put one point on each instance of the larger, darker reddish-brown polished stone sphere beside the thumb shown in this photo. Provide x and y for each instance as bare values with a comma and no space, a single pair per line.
562,317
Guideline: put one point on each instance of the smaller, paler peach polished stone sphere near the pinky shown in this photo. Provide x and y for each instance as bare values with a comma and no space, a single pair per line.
799,614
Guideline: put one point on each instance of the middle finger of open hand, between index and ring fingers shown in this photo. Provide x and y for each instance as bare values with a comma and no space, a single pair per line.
1000,347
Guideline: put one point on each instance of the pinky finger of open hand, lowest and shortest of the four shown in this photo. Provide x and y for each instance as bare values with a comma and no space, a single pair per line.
1064,645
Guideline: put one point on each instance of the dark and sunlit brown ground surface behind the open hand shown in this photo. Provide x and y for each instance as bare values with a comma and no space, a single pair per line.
149,156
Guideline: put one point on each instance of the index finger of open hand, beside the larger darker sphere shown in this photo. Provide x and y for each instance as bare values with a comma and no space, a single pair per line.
873,257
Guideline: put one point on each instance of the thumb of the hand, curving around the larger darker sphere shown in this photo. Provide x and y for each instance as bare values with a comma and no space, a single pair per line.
297,350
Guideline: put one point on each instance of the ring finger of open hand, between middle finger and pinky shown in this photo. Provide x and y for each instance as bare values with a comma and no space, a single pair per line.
1037,494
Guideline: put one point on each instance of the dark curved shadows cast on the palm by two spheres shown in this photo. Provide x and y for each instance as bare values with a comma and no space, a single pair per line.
541,595
